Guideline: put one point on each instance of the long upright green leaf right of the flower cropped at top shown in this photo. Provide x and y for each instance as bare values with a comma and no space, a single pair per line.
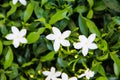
28,12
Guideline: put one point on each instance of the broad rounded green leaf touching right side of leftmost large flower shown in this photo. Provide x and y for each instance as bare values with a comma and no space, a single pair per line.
33,37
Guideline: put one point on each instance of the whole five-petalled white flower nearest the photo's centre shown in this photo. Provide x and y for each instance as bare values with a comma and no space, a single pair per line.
59,38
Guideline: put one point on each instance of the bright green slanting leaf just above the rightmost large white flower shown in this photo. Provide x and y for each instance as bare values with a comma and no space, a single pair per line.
92,27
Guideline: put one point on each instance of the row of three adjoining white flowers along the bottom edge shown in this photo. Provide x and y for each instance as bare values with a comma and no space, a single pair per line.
52,75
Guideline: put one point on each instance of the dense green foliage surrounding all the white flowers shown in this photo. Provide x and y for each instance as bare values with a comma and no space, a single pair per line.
81,17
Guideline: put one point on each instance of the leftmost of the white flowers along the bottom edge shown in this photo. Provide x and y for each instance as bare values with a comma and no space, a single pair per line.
52,75
